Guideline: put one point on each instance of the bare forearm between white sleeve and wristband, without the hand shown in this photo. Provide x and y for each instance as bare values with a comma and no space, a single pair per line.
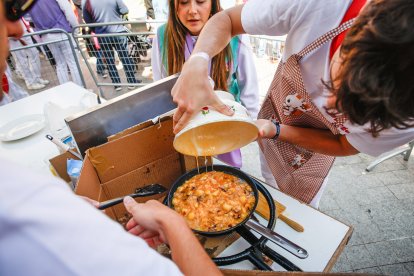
218,31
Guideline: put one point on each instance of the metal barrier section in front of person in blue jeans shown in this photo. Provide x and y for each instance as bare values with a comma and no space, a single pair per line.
116,60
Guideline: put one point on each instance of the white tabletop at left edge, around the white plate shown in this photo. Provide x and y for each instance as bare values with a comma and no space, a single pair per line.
35,151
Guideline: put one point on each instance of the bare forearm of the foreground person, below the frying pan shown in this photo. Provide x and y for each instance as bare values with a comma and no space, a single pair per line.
186,250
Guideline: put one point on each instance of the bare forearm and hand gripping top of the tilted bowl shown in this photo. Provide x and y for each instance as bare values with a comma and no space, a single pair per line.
214,37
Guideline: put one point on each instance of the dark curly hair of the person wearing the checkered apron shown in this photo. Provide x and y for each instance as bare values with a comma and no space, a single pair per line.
375,83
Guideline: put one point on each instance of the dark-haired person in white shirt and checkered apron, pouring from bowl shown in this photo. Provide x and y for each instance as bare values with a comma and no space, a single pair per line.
342,87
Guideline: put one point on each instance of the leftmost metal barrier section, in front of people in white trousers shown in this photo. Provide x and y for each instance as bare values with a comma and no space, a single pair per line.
41,60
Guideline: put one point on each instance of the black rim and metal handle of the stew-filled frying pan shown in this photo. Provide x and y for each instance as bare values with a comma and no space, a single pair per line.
248,221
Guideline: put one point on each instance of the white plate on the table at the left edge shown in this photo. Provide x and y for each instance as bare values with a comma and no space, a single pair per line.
22,127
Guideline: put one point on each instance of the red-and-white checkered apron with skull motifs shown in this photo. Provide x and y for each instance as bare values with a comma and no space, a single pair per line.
298,172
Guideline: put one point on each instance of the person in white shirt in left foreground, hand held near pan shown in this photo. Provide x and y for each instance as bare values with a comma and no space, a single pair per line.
45,229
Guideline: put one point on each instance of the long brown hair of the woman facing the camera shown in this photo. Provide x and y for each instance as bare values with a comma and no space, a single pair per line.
174,40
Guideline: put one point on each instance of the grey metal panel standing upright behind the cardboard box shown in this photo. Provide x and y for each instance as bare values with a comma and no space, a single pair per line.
91,128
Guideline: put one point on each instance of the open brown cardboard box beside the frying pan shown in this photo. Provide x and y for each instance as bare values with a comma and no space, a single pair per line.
132,159
